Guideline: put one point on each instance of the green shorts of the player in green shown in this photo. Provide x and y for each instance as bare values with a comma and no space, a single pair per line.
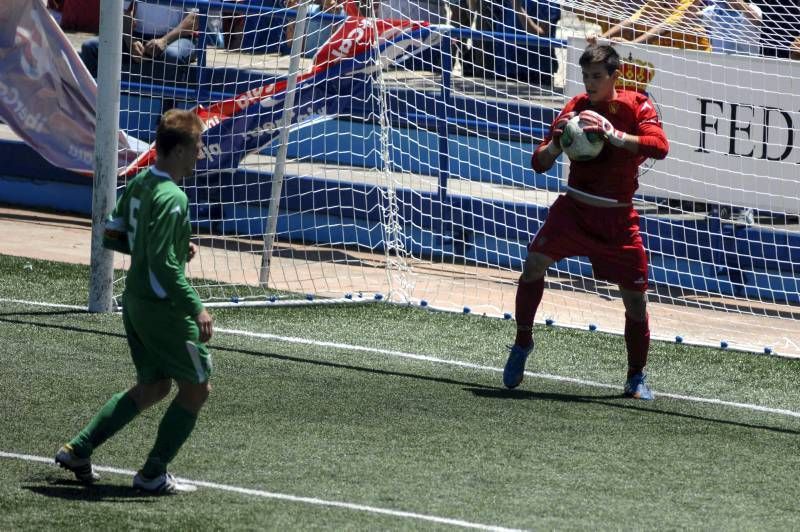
164,342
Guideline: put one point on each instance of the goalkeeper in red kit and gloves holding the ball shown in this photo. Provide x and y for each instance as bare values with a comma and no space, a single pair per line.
596,218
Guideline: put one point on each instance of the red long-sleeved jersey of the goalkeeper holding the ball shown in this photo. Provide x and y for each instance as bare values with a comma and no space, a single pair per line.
614,174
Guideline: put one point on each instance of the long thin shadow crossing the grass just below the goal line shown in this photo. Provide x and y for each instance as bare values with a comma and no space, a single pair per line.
477,389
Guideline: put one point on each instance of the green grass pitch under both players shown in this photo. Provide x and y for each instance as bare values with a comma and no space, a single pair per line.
328,409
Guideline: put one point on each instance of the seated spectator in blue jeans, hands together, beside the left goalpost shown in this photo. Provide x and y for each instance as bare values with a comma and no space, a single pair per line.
150,31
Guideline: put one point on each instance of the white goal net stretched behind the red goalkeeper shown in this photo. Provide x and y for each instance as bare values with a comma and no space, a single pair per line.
356,149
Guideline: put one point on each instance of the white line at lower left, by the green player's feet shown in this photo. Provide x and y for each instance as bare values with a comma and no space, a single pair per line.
284,496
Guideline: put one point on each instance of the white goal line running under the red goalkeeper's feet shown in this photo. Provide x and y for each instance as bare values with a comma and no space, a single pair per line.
459,363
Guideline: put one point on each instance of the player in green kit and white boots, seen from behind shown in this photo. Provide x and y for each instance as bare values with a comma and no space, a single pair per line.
165,322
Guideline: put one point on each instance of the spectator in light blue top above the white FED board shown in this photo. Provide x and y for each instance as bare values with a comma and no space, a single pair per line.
733,26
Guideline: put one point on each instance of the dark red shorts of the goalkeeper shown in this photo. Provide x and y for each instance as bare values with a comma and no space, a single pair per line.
608,236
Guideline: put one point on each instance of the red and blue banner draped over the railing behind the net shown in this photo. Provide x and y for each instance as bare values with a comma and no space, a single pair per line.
342,69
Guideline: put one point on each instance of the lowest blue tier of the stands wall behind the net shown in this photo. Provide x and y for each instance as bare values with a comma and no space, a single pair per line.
707,255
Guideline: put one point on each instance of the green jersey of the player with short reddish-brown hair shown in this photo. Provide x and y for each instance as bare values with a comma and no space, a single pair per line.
154,212
